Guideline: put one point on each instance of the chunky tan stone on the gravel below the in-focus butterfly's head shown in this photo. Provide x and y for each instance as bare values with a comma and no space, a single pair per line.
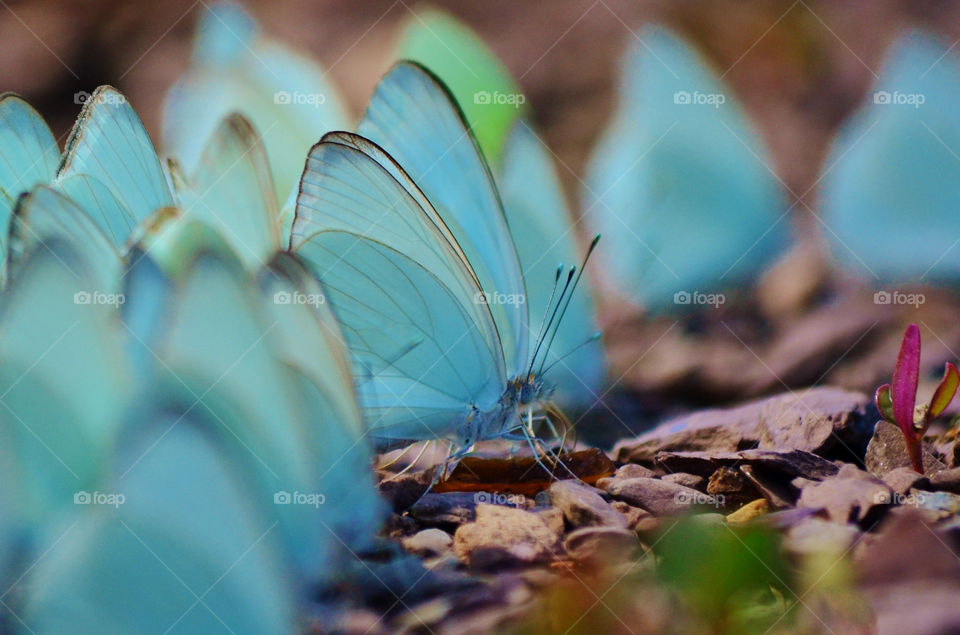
505,536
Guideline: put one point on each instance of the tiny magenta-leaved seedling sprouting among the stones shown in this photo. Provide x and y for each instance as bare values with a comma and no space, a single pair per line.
897,401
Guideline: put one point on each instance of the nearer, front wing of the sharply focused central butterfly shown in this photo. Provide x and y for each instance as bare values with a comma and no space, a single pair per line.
366,237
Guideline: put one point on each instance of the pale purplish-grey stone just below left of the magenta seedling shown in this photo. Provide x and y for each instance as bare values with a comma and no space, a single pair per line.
851,495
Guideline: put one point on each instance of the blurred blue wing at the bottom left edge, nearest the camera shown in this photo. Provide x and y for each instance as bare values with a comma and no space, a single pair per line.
184,551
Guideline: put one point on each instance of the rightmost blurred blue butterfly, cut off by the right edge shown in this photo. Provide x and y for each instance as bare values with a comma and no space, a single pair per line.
891,177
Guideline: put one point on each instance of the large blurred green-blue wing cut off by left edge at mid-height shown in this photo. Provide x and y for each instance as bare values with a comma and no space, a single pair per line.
63,379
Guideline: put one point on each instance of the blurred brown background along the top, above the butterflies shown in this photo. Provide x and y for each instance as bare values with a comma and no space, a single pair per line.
800,66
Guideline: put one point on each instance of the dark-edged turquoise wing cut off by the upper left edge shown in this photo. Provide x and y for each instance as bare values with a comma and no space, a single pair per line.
28,154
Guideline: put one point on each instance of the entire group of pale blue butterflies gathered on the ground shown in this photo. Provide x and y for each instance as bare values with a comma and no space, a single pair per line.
198,357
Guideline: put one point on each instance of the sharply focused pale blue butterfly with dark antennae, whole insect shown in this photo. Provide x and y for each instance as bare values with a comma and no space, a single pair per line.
405,228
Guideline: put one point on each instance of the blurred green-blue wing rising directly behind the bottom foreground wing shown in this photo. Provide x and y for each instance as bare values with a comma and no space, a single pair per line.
218,361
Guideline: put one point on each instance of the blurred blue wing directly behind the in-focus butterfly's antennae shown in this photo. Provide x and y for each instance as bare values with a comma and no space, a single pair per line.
541,222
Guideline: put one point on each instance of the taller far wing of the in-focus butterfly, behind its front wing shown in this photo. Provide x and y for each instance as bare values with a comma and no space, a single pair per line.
415,120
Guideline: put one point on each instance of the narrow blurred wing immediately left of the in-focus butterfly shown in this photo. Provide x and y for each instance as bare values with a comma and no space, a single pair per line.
307,339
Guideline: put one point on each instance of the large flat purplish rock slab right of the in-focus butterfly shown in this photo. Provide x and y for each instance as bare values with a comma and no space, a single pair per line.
813,420
